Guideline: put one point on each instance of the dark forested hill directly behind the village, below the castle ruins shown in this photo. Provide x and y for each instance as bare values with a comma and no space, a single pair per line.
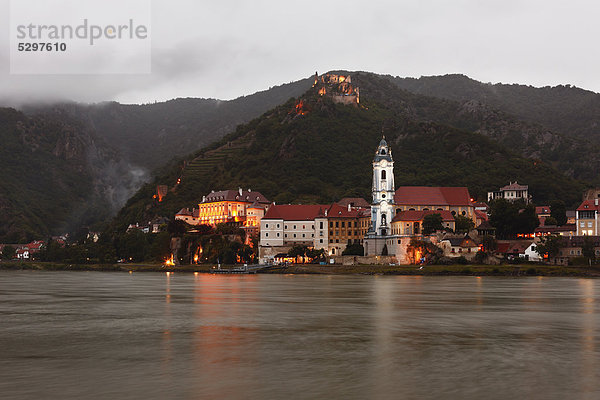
312,150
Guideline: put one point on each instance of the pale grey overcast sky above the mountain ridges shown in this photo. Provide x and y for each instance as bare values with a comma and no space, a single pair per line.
225,49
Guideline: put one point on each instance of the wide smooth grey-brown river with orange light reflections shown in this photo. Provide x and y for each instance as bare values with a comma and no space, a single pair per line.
102,335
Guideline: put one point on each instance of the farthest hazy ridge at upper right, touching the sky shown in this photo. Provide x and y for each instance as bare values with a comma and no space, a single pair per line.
565,109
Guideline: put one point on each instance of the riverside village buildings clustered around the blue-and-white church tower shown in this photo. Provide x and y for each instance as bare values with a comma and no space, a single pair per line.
401,225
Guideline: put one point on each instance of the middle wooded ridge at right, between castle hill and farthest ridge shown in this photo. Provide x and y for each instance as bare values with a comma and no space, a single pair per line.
578,157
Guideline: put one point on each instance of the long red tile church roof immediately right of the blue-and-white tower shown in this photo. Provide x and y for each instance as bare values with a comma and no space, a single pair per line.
432,196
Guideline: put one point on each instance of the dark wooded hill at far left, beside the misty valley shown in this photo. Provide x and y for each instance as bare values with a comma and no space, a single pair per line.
55,176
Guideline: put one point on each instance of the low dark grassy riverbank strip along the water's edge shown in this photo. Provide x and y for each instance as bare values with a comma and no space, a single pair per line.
429,270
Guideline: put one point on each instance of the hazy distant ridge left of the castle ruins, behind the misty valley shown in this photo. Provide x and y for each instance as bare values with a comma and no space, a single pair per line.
150,135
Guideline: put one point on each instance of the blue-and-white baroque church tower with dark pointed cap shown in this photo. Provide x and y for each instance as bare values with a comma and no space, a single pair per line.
382,208
